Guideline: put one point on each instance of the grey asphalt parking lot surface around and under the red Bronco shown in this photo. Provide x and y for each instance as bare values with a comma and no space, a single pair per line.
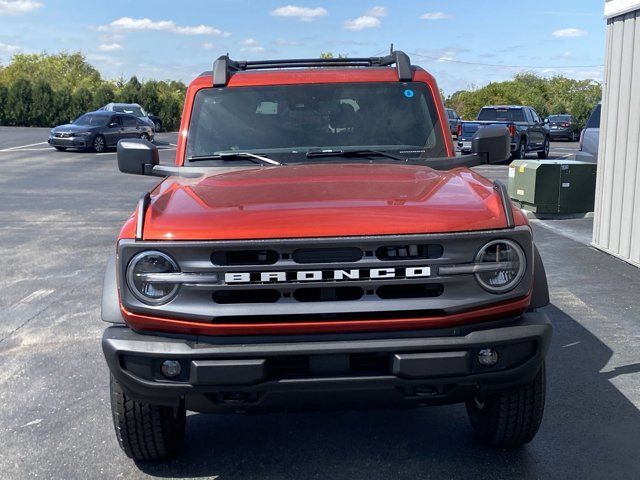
60,213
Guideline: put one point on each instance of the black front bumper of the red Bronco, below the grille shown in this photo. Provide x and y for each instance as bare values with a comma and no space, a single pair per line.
273,373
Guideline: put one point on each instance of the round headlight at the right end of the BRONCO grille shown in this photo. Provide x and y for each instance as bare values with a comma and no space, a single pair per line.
500,266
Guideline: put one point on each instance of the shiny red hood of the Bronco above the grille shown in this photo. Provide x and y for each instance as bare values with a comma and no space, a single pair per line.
322,200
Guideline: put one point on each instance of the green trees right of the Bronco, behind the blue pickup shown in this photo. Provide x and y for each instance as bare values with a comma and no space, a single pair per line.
548,96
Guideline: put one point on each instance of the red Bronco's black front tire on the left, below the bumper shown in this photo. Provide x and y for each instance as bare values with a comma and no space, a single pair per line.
146,431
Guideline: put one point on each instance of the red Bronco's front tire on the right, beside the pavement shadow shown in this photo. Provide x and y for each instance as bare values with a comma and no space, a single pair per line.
509,418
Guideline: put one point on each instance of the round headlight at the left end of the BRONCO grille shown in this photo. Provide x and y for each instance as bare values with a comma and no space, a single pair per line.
146,280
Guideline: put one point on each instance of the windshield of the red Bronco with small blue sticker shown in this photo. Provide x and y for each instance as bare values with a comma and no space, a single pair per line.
290,120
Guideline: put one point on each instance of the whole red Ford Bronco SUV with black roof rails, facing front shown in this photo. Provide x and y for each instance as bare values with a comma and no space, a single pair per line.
319,243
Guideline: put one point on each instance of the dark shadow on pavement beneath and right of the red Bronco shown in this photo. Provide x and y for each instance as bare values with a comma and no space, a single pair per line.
590,430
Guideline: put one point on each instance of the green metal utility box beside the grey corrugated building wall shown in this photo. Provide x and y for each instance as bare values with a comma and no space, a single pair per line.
553,186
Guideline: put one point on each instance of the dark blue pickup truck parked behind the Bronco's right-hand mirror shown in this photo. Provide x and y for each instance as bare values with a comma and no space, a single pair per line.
527,130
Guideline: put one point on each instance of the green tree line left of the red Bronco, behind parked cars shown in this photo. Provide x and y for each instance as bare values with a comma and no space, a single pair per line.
43,90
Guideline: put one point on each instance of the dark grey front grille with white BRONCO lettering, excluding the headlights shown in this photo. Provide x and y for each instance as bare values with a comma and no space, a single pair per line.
324,279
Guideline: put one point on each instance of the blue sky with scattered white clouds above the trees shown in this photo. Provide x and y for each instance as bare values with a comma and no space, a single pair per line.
463,43
